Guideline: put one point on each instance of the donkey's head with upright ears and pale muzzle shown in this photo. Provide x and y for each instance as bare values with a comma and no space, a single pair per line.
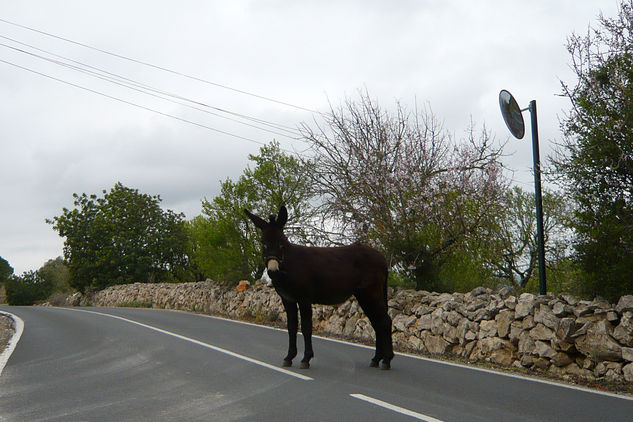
273,239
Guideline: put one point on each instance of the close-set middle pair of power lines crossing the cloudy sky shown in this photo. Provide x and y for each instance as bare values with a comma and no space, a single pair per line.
144,88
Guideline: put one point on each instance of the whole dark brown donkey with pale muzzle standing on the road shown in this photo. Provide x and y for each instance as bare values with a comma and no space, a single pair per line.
305,275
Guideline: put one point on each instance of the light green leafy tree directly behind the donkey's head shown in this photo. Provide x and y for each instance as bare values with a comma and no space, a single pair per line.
225,245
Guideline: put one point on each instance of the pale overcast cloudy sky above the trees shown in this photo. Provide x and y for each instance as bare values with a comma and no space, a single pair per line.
64,131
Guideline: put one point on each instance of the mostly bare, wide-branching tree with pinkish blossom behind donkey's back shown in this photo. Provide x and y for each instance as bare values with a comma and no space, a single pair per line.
399,181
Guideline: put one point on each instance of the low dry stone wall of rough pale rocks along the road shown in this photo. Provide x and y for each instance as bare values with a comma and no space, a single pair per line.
561,335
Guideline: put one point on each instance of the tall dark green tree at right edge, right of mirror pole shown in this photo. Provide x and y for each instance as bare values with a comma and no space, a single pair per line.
595,159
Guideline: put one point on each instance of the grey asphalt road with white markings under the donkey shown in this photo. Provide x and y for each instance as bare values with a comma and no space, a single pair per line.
113,364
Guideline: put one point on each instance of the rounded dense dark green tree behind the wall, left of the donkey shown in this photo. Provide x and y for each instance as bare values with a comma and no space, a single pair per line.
122,237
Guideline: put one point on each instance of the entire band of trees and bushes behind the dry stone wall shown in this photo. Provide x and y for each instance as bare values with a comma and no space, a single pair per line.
439,207
